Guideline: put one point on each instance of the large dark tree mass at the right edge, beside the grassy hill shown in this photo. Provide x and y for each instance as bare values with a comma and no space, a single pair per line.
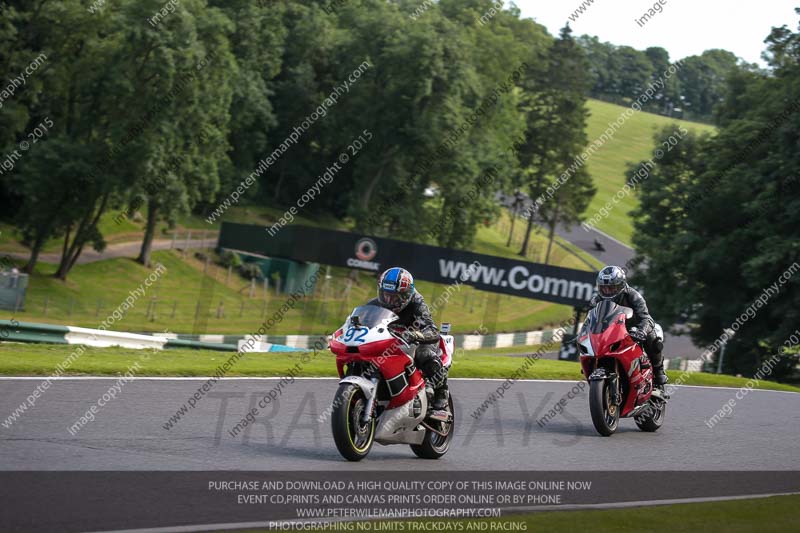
719,221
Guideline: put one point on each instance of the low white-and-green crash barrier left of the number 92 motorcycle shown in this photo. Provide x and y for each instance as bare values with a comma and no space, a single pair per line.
14,331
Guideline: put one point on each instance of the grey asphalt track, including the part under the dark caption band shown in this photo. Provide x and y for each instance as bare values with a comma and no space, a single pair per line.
125,471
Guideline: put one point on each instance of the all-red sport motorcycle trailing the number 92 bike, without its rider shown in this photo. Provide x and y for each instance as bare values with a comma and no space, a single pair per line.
619,372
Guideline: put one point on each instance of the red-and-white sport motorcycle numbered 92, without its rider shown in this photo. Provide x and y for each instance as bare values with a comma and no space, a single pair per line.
382,396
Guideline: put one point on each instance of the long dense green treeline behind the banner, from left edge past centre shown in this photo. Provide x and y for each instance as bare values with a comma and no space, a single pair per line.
171,107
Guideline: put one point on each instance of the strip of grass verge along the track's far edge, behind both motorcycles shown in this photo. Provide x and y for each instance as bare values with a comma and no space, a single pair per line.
18,359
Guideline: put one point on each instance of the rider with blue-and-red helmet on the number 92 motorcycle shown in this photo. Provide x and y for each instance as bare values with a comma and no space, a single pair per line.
396,292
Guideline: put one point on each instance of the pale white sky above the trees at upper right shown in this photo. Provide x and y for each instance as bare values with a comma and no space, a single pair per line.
683,28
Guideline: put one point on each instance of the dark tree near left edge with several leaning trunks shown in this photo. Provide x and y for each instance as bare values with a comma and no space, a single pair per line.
80,87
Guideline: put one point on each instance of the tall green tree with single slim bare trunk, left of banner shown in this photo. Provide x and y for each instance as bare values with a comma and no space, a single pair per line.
182,72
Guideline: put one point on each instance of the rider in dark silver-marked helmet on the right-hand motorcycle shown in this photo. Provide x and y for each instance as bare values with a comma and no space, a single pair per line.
612,284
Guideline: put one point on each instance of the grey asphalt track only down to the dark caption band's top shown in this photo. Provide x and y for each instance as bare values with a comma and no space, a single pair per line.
762,433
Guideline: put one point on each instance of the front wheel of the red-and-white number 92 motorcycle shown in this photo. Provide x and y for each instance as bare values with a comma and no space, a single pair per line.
353,439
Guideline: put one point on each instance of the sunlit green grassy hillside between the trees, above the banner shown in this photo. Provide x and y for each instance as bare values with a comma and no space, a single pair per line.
632,143
